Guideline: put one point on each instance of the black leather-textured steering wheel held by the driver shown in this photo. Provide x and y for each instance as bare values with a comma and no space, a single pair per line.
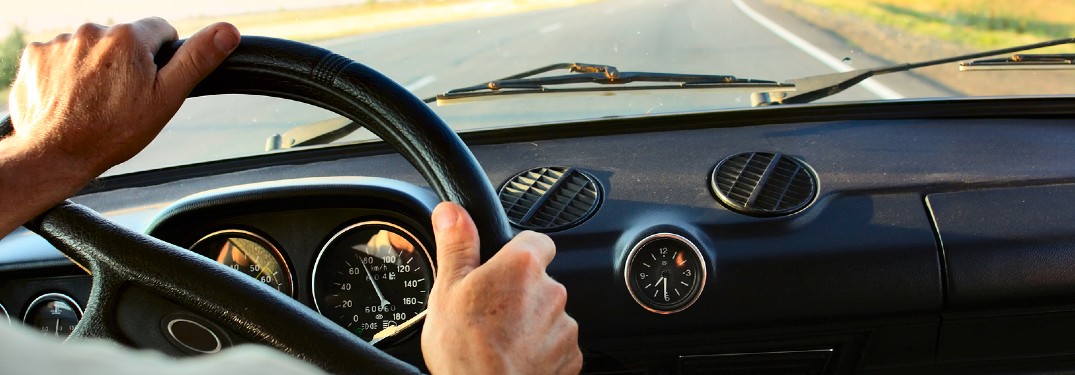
121,259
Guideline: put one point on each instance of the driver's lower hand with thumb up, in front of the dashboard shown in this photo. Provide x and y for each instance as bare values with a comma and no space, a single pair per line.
503,318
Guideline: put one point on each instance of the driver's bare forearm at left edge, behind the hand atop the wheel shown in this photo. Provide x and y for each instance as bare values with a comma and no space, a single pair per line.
34,180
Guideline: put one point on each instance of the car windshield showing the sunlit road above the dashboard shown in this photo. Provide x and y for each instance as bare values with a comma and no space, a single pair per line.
435,47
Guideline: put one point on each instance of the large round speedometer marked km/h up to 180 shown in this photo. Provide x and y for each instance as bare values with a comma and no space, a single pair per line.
374,279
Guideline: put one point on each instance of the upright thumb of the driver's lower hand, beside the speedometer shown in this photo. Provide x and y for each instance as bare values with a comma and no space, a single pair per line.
457,243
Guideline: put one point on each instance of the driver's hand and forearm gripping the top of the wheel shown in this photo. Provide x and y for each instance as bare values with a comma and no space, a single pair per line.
87,102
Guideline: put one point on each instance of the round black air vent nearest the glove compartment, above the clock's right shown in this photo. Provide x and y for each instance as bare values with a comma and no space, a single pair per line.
764,184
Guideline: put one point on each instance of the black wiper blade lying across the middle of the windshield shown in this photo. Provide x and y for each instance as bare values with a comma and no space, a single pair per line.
610,79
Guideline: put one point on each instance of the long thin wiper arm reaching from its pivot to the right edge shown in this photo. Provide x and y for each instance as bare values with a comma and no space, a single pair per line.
812,89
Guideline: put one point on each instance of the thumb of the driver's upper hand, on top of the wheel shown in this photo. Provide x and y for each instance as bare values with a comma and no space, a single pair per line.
196,59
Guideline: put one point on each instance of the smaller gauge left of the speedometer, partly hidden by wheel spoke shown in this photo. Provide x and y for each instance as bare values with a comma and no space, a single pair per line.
250,254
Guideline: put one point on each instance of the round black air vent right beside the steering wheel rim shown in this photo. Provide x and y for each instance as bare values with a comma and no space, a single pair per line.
550,198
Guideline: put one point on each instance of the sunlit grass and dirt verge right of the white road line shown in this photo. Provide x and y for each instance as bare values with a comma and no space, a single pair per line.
918,31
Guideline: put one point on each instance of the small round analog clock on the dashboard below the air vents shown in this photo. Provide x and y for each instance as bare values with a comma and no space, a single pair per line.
665,273
